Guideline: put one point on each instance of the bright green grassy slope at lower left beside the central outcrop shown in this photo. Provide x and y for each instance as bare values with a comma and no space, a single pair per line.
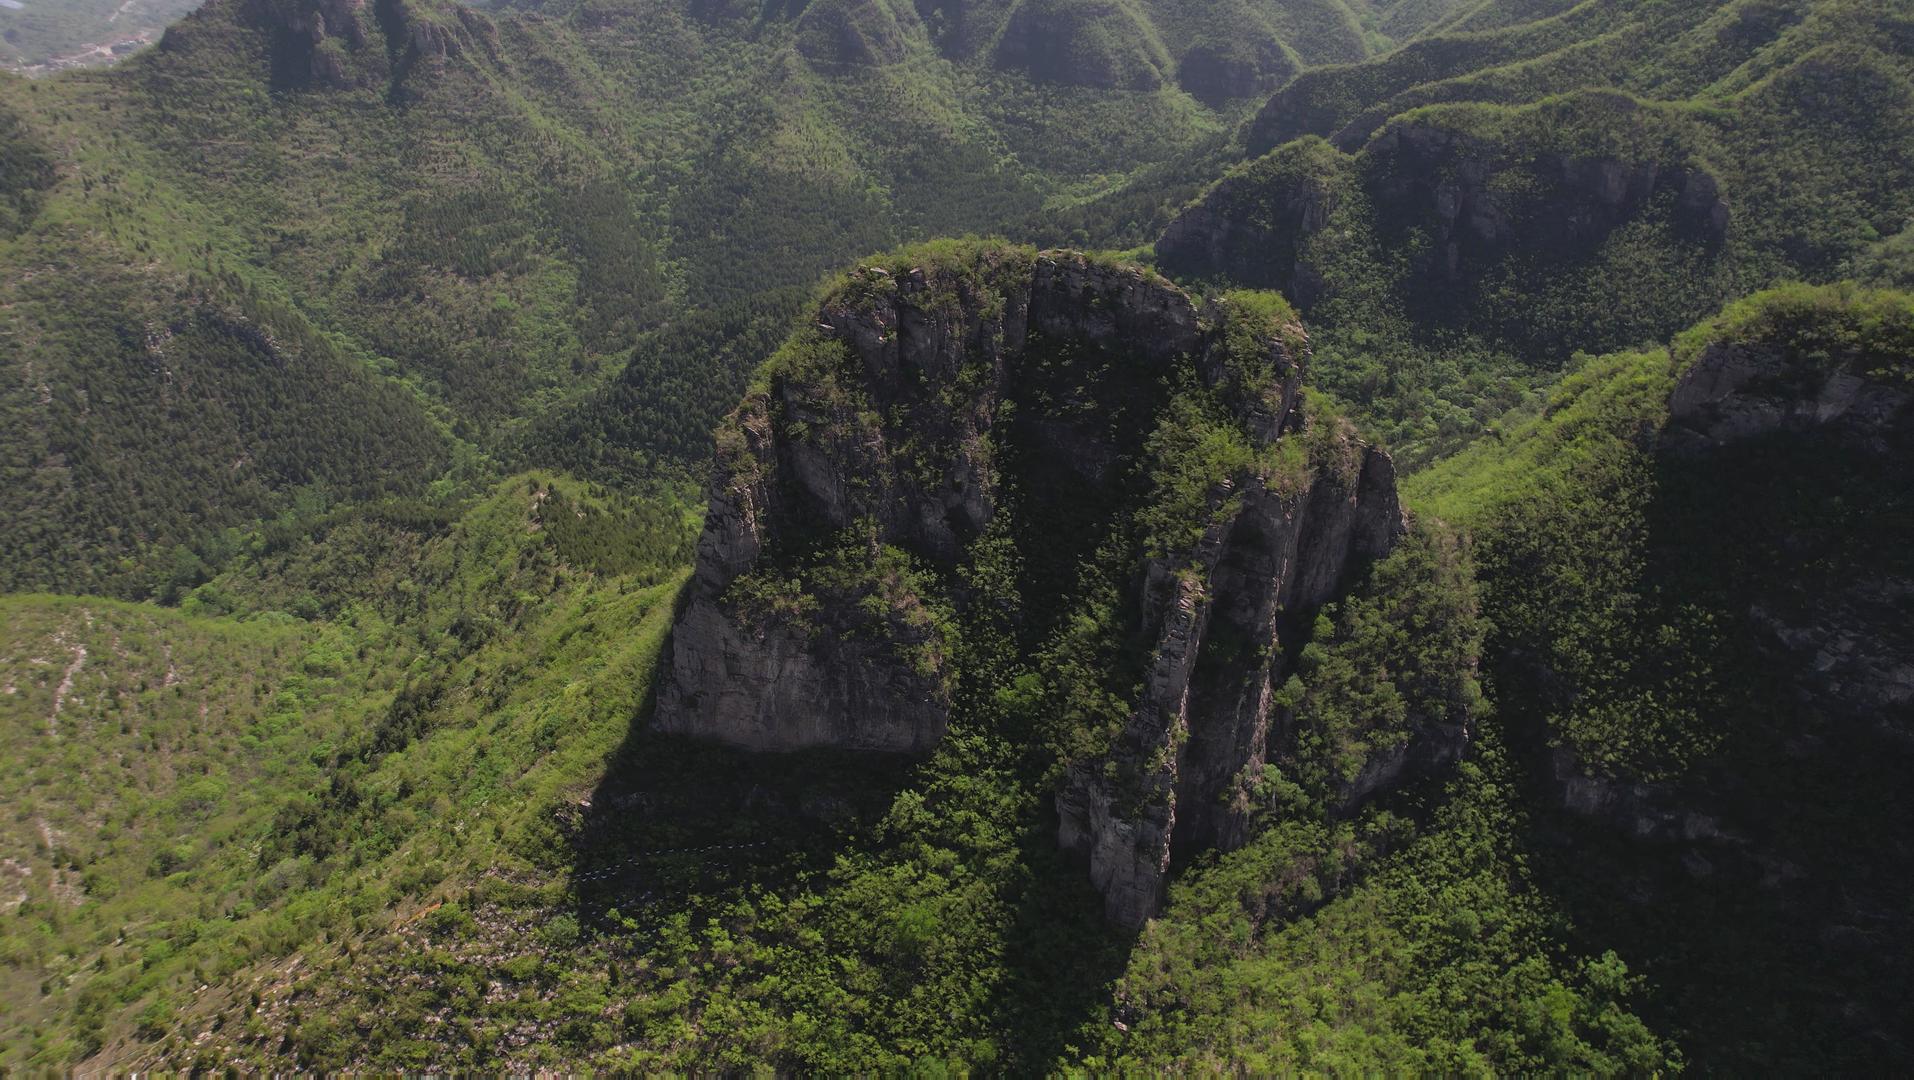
213,744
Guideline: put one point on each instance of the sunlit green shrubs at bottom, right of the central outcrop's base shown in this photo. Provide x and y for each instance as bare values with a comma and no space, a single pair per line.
1438,956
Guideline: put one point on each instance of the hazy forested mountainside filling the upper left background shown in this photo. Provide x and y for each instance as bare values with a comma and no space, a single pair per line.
483,215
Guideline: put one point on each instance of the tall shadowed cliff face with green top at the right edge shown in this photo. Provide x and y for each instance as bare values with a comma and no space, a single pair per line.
1781,508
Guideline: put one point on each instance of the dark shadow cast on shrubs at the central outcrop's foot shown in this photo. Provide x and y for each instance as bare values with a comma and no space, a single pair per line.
690,828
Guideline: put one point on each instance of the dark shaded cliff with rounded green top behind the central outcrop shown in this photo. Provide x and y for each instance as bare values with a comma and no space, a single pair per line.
1452,212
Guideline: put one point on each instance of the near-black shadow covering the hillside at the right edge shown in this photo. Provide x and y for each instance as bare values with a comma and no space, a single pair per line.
1777,937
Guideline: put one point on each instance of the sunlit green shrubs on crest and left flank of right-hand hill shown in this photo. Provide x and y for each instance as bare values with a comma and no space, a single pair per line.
1624,600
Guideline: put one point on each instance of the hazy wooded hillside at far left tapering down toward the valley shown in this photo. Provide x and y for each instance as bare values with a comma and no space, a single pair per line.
162,384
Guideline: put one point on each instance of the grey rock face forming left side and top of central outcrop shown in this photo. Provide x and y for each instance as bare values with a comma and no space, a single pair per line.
881,418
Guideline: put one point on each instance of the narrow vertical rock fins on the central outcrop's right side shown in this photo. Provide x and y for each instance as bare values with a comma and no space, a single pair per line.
1220,619
